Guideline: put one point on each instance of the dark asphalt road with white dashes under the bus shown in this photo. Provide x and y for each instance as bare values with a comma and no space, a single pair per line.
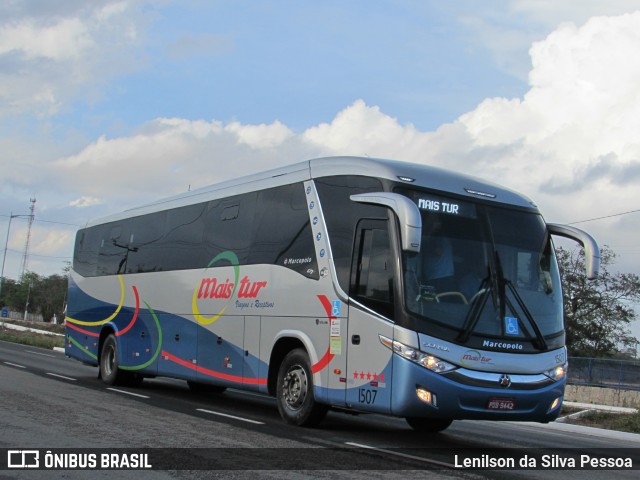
48,401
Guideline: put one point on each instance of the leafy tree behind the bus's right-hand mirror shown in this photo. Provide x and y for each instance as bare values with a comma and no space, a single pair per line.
597,312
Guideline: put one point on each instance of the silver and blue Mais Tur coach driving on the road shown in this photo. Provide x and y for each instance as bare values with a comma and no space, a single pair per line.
359,284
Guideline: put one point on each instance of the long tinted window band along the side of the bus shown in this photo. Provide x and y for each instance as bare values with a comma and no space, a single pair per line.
270,226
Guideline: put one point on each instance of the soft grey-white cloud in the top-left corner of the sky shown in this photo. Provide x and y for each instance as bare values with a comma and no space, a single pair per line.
47,60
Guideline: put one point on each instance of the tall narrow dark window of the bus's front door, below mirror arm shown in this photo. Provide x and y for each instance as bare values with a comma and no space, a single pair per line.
372,271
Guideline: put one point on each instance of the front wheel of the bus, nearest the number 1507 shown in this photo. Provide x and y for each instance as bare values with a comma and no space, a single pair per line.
295,399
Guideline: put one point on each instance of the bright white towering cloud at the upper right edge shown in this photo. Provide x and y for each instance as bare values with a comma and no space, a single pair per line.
583,105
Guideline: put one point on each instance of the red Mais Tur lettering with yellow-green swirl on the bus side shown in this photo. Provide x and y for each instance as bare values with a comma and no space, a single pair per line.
212,288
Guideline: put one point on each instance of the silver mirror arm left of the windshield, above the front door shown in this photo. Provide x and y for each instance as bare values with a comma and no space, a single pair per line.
407,212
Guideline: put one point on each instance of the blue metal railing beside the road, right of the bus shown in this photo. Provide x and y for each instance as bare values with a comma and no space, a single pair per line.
604,372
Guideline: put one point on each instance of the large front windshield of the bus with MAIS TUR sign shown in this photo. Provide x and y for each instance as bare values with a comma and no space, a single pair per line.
483,272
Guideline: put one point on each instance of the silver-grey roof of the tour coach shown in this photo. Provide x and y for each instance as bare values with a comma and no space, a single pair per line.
418,175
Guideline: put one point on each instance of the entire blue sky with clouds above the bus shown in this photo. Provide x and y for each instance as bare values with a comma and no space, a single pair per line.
109,104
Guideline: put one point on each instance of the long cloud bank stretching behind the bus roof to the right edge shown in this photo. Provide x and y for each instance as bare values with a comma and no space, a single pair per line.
570,142
